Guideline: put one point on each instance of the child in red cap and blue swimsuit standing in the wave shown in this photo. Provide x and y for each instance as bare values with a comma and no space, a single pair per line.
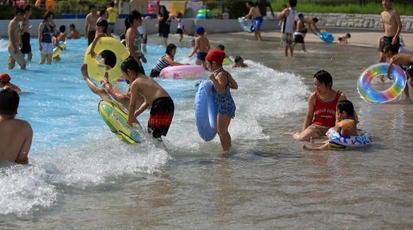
223,82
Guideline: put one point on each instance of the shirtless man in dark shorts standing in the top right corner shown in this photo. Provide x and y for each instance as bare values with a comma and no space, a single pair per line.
392,27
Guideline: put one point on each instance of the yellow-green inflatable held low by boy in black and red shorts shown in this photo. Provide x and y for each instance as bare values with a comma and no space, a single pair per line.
115,116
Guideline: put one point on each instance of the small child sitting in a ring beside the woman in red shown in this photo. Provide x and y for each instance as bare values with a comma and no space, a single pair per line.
346,123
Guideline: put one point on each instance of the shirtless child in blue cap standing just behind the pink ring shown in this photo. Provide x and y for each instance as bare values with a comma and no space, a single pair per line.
201,47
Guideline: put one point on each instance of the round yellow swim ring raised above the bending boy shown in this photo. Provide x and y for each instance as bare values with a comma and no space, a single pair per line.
95,69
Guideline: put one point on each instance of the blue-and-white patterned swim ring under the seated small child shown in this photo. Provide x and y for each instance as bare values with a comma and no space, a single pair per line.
363,139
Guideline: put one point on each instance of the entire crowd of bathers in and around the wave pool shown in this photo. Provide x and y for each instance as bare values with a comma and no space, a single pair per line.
327,108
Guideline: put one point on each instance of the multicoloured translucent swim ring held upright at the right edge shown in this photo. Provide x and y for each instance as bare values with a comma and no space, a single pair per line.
371,95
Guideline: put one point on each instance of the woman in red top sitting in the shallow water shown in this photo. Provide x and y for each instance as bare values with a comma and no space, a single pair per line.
321,112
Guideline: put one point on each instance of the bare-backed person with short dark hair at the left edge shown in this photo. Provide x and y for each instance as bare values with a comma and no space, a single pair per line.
16,135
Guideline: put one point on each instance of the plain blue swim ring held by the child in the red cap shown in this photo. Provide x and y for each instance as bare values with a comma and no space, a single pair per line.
206,110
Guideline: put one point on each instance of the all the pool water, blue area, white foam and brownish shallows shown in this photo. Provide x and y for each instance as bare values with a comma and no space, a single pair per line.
81,176
